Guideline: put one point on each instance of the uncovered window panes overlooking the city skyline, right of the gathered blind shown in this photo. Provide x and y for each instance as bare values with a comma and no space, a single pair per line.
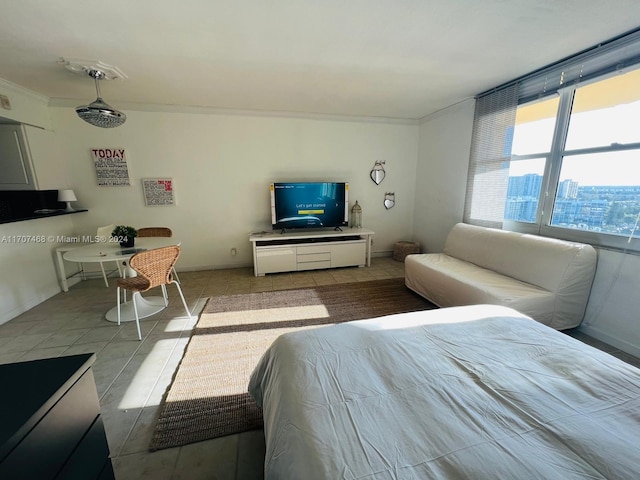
598,167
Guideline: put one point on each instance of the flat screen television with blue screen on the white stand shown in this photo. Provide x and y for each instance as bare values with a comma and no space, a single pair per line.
309,205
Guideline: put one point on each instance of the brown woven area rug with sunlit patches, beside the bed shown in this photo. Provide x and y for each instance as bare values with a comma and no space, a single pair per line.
208,396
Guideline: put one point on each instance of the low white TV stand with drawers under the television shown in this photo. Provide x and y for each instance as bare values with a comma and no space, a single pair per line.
310,250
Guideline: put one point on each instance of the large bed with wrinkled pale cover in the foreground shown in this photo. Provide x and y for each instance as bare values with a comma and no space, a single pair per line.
462,392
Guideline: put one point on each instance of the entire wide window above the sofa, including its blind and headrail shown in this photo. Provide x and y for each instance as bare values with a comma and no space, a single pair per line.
573,167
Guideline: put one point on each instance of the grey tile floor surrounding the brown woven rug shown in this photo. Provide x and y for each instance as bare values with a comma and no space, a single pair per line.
131,376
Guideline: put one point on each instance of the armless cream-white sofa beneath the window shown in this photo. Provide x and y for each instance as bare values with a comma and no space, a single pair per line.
545,278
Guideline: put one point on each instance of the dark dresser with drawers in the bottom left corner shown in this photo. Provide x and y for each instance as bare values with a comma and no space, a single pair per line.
50,424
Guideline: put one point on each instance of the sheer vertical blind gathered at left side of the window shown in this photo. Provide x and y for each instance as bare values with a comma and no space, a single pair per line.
488,177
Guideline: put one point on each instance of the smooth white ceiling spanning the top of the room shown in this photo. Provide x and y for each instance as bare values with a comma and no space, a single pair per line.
400,59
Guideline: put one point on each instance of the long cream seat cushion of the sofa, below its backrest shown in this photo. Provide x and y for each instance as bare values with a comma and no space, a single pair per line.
448,281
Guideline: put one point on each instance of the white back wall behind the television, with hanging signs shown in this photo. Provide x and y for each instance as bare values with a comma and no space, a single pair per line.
222,165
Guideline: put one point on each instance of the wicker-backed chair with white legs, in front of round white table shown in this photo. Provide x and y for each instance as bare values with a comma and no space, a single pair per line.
154,270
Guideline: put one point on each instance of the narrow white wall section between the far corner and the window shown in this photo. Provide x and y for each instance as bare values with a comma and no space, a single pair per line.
441,176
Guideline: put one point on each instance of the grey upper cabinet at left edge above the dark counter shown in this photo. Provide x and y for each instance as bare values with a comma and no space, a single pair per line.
16,167
